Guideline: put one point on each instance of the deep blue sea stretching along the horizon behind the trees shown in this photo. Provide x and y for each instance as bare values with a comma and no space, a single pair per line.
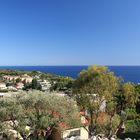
128,73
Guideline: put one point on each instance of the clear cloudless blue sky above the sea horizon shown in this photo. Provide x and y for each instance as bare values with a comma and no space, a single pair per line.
69,32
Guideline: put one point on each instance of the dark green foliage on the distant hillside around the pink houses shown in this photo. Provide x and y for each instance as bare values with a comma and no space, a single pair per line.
59,83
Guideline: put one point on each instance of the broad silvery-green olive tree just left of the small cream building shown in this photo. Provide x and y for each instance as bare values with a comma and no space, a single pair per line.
45,112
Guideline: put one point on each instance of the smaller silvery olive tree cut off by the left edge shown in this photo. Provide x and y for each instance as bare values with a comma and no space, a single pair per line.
11,115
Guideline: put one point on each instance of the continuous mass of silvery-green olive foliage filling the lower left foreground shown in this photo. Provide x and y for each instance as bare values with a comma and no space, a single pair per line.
39,111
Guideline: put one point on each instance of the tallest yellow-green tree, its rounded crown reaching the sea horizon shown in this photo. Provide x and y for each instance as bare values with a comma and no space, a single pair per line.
94,87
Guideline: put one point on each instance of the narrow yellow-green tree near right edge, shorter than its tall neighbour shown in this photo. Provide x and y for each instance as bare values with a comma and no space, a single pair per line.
127,99
